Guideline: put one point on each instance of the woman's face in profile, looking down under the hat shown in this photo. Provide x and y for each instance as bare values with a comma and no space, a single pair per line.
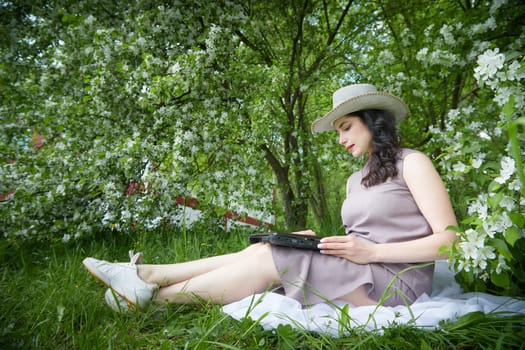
354,135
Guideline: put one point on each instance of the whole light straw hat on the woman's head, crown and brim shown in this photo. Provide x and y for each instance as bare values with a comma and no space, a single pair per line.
353,98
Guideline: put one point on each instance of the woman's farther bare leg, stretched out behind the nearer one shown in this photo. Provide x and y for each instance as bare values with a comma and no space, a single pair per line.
168,274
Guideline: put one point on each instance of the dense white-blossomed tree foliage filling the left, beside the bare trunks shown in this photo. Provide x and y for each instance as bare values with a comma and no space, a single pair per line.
131,104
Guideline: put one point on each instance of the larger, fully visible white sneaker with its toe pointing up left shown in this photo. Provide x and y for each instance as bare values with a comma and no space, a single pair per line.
123,279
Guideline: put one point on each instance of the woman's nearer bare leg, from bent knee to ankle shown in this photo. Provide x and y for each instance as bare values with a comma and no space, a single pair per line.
249,273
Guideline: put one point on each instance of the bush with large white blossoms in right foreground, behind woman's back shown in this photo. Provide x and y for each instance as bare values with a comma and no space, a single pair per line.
483,165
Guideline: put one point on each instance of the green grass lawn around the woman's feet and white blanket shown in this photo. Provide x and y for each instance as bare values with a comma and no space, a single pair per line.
51,302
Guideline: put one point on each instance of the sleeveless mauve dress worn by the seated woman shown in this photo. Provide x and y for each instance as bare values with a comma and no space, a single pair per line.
383,213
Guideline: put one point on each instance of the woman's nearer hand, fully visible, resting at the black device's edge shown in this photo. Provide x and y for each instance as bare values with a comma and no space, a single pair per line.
349,247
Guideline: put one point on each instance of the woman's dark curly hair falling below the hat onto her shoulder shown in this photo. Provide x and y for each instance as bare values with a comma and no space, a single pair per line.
382,161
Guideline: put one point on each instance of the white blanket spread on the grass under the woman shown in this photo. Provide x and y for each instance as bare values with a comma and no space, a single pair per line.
447,302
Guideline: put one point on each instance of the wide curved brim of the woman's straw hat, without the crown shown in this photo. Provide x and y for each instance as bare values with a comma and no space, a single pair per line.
371,100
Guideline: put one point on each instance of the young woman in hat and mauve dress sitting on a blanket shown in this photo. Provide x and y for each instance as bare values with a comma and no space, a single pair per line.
395,216
